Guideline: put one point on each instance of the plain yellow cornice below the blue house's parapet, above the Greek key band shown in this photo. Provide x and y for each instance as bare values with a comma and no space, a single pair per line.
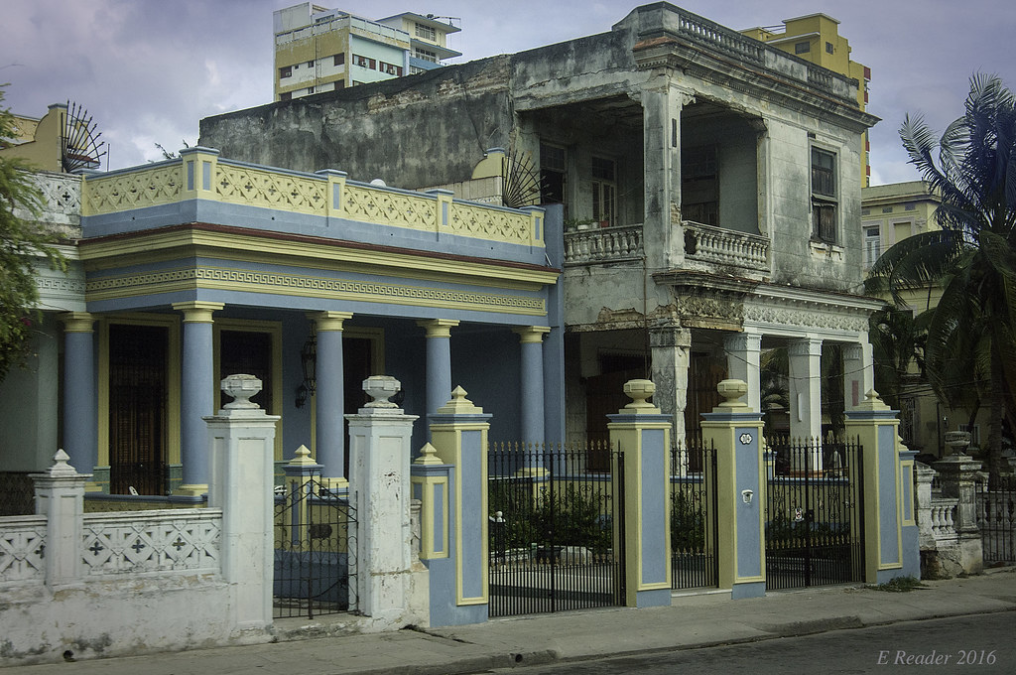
161,247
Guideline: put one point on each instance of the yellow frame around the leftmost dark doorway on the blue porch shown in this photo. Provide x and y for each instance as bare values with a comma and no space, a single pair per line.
173,371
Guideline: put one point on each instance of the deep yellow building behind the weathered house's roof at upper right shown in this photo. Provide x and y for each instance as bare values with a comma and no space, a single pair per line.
816,39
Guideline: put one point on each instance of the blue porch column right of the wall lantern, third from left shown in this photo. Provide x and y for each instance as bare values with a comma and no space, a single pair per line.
331,398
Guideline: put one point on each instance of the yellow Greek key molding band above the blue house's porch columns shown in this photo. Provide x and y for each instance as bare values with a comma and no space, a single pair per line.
276,283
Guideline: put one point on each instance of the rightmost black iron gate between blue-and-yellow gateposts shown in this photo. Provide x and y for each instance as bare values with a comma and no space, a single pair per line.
814,531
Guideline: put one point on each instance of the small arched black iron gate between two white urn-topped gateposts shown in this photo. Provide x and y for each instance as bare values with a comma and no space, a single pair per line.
315,550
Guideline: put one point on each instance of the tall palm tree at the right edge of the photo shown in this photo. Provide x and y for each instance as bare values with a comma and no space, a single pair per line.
971,350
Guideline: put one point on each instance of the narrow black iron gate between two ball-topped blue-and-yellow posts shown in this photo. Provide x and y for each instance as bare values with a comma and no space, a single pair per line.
694,518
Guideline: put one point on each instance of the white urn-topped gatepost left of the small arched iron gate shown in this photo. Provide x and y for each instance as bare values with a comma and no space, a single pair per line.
241,440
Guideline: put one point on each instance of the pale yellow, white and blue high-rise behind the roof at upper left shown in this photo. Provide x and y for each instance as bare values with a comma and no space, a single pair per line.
324,50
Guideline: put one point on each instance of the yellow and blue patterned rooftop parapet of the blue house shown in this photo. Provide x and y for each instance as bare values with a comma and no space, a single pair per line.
201,176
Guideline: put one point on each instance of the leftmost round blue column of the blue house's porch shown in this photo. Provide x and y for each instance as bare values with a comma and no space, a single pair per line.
80,395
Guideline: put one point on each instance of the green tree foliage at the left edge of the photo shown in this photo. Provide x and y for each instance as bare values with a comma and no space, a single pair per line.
22,242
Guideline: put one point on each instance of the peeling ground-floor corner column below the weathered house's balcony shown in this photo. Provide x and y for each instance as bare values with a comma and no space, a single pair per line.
671,347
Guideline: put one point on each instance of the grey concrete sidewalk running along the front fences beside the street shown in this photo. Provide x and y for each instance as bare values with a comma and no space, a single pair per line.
691,622
